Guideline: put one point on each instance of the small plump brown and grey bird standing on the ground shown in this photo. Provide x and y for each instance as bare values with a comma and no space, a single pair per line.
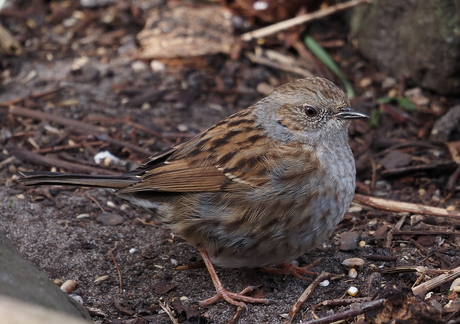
261,187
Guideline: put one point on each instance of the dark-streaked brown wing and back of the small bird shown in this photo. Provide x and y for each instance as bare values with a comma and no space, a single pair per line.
235,154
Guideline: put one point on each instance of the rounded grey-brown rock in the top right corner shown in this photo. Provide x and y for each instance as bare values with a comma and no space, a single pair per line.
418,39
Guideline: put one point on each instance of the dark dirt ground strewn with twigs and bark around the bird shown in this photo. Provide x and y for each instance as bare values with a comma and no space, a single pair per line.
67,232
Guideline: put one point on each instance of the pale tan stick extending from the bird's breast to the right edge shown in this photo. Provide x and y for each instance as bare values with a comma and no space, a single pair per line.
399,206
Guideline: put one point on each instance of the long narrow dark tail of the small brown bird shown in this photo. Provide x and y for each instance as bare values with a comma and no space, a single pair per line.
56,178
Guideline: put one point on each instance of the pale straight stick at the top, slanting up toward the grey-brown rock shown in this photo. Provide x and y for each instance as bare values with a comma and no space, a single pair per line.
272,29
